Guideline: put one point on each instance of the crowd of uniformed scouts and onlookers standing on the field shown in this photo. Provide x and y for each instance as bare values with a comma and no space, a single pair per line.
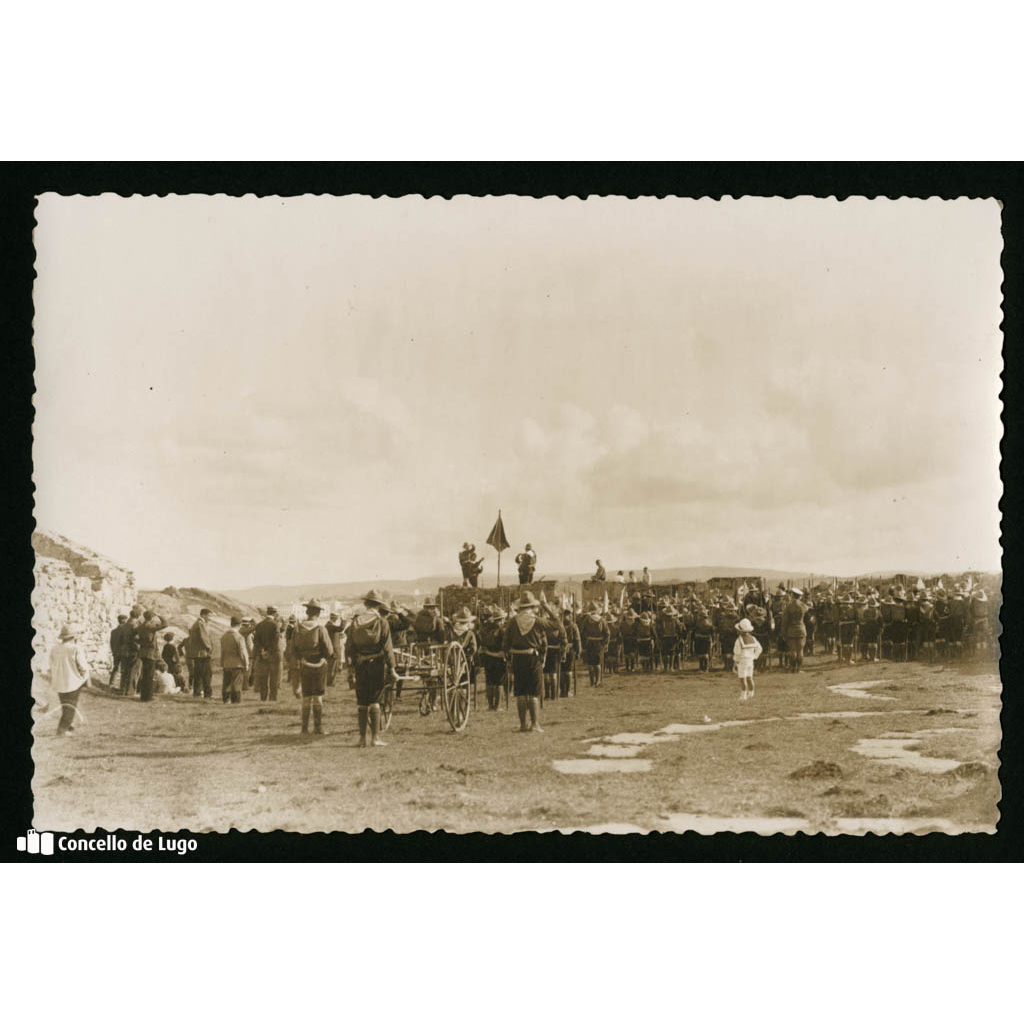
532,649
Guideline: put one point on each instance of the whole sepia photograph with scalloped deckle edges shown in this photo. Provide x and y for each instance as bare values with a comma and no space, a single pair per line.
506,515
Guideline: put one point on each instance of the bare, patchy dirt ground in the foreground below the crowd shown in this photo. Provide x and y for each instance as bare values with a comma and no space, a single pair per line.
644,753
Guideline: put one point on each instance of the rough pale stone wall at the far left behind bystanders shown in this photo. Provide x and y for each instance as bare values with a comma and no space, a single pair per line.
75,585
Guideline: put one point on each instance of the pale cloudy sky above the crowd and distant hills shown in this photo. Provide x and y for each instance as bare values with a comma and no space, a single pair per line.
243,392
